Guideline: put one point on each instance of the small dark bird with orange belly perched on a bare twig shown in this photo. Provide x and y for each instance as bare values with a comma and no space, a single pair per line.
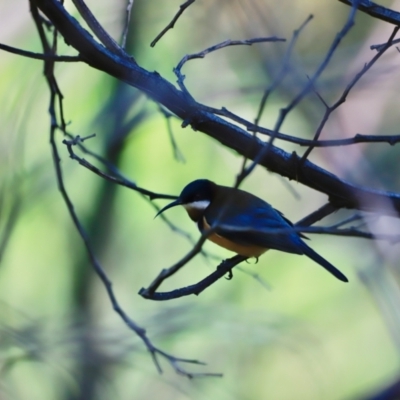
243,223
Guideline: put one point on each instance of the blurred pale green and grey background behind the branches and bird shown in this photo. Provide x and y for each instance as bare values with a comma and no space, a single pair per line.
289,332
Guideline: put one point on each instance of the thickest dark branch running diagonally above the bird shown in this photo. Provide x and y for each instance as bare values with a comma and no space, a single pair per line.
340,192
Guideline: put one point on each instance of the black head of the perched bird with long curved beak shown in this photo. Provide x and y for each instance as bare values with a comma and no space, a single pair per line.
195,198
